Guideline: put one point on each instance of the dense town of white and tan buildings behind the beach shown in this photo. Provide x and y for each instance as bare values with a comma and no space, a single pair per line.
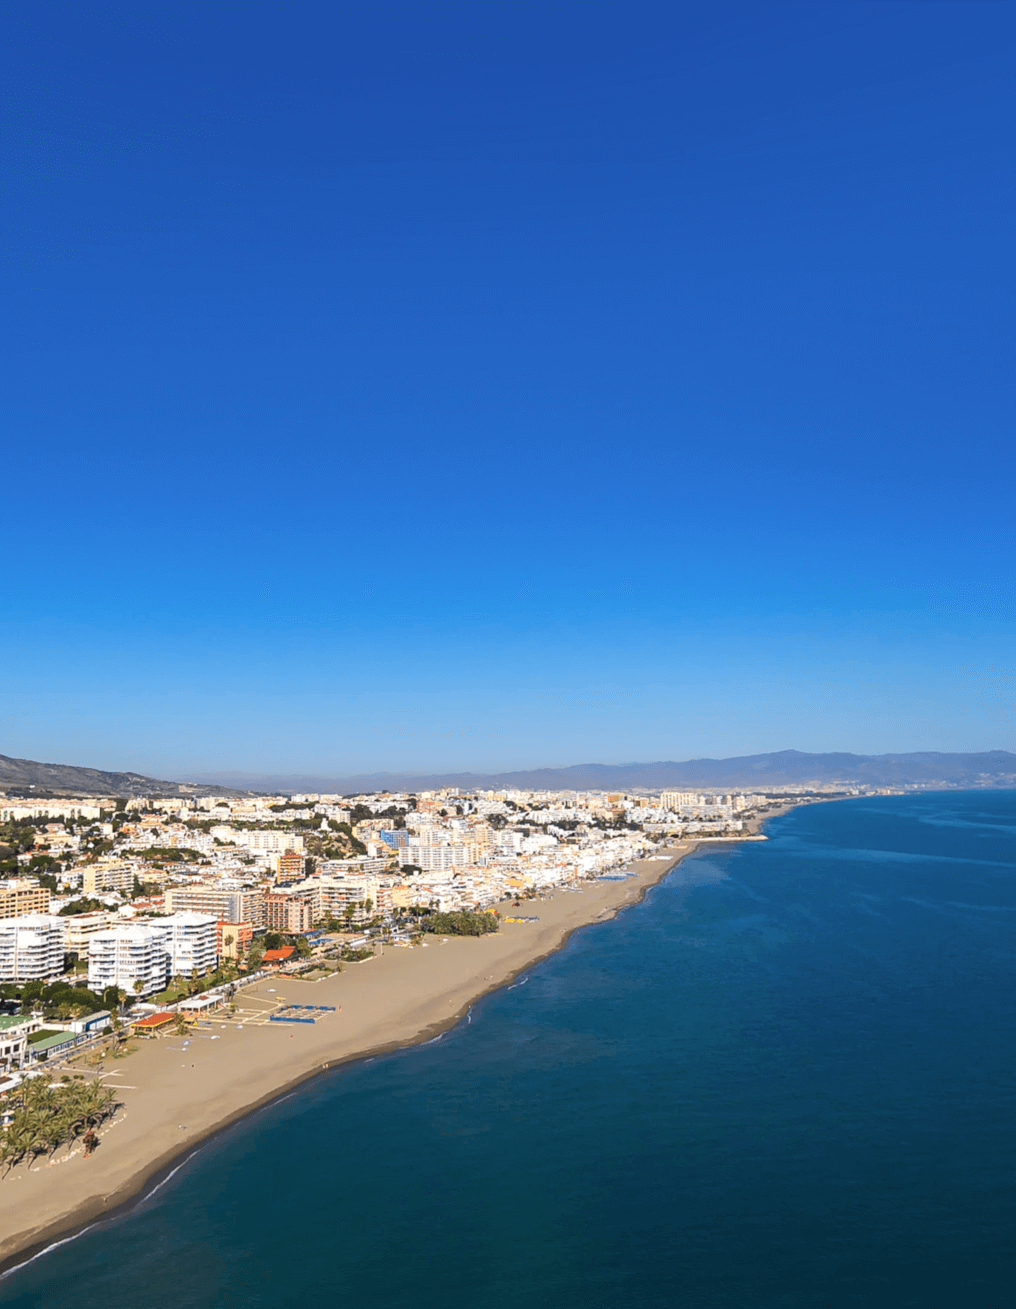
124,899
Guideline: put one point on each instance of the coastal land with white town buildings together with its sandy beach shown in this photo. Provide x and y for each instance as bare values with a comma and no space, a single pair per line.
168,965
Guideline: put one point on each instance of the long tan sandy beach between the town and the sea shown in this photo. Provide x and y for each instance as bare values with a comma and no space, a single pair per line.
176,1096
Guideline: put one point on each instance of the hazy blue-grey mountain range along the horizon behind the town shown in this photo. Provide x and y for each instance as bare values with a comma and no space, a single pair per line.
755,772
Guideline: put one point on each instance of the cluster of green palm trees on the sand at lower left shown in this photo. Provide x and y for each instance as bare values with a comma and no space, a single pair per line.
43,1116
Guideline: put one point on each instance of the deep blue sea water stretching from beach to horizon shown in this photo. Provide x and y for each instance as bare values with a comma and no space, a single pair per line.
786,1079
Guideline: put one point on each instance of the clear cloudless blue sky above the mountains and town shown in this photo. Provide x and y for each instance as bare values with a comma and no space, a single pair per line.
506,384
